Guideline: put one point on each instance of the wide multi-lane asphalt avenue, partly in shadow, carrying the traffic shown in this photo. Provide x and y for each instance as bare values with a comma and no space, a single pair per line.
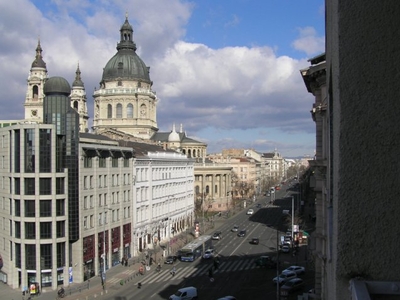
237,274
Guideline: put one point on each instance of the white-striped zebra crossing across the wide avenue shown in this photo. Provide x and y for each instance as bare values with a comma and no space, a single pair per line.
189,270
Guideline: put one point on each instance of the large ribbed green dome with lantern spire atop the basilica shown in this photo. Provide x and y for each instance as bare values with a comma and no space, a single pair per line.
126,64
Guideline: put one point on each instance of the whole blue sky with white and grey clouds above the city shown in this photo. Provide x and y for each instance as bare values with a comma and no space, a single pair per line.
227,70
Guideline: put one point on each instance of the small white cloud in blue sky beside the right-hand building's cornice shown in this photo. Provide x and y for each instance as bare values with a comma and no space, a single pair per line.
309,42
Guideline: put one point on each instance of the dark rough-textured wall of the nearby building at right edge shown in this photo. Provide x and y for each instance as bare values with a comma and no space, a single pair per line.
364,102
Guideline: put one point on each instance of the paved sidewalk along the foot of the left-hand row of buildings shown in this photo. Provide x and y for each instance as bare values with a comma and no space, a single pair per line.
116,277
